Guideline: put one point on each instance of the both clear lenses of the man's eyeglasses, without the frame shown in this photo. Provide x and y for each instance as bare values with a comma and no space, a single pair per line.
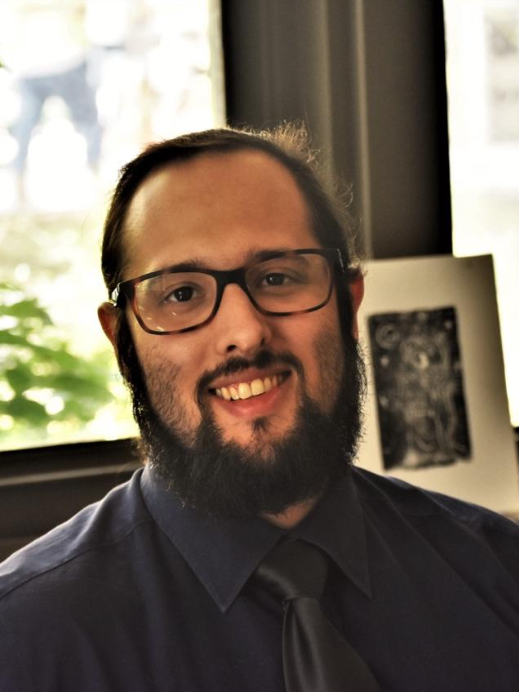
179,300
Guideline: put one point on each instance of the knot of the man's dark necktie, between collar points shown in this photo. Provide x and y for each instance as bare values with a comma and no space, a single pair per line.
293,569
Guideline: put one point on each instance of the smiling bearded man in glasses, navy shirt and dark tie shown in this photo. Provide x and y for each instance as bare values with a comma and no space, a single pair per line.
233,317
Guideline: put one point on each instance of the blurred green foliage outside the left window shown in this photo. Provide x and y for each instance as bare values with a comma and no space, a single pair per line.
41,380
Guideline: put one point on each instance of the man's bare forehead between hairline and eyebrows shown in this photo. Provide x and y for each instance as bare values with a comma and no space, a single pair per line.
218,209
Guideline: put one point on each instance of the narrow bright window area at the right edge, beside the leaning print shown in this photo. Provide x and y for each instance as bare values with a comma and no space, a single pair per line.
483,89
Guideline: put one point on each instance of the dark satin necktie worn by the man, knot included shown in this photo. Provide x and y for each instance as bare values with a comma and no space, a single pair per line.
316,658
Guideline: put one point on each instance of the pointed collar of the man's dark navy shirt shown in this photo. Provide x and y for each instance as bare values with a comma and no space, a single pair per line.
223,554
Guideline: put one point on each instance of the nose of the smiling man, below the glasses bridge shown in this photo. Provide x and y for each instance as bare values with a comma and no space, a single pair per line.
240,328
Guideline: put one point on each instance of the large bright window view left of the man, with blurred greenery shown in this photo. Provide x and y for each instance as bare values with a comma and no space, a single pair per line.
84,86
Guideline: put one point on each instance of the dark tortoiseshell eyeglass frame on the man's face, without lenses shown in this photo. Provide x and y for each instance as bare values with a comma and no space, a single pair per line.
126,289
